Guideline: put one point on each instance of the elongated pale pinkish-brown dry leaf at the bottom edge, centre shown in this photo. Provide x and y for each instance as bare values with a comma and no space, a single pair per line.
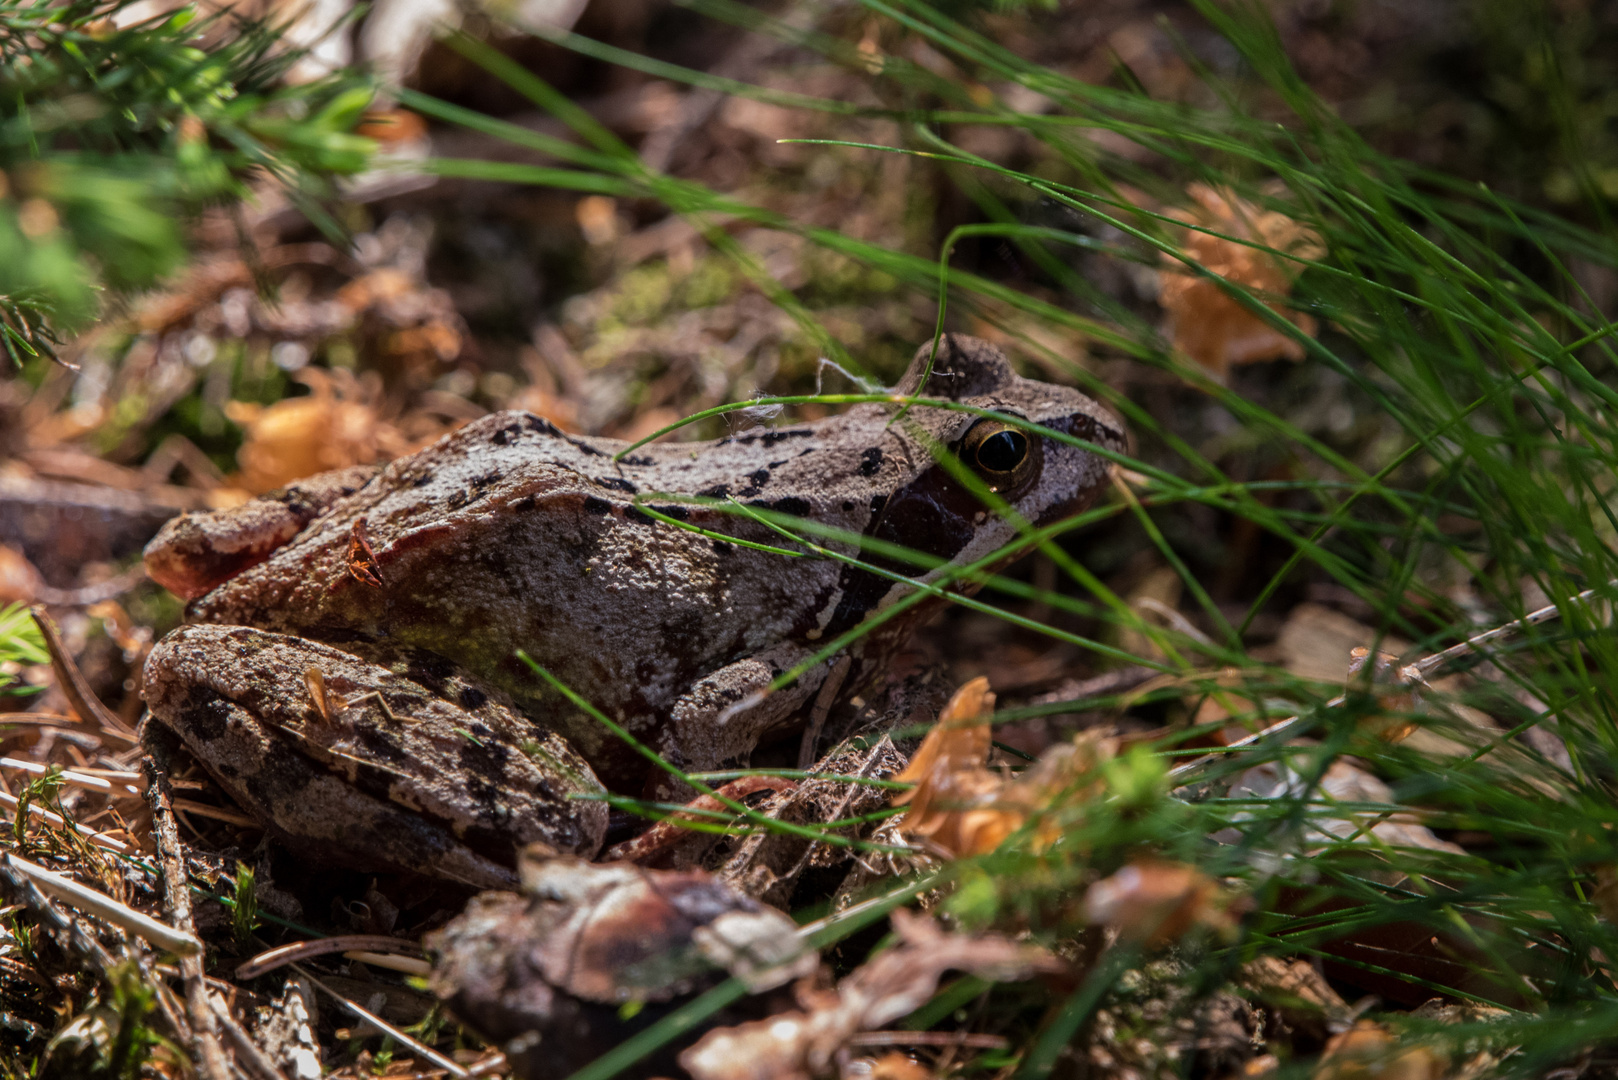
892,985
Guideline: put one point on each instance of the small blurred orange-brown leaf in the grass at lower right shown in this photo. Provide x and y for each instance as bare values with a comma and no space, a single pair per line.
1154,903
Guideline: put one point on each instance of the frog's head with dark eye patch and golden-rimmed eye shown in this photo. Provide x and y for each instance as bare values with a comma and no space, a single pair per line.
1040,478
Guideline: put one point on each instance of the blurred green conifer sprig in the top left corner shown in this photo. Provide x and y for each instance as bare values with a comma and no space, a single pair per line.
117,122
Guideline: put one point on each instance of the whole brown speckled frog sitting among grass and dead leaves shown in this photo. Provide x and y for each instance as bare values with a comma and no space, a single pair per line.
350,671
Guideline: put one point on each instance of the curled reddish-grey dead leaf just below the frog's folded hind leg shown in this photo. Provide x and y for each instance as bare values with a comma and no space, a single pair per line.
596,953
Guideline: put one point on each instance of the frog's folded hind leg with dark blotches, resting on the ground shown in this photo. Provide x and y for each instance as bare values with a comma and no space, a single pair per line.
410,767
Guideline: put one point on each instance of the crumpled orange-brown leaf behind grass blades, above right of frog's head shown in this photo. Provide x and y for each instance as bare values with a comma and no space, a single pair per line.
1211,326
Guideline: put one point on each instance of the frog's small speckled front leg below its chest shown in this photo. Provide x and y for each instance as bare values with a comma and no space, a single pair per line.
726,713
